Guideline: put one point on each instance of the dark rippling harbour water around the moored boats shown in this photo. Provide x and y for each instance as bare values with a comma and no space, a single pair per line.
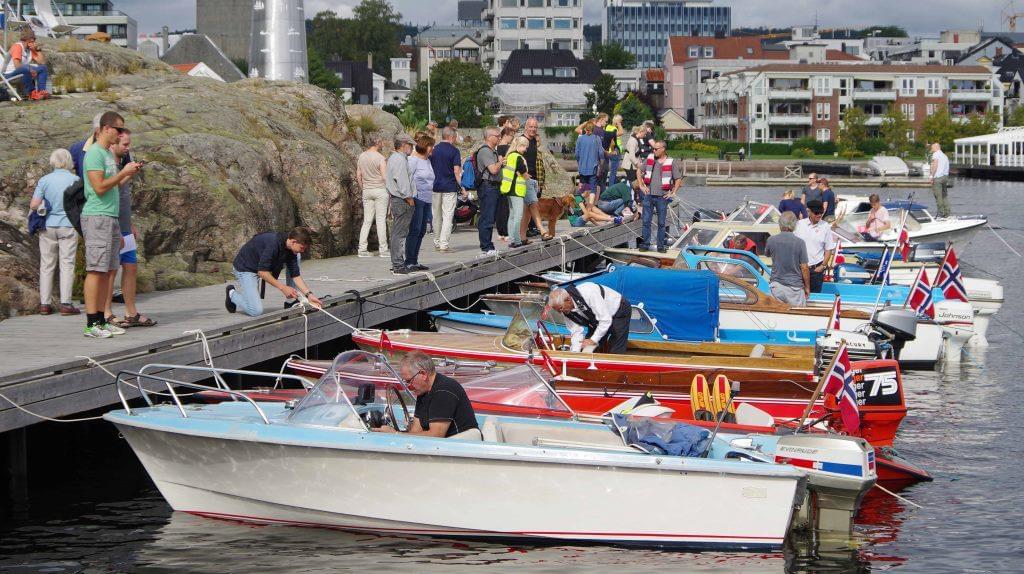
92,509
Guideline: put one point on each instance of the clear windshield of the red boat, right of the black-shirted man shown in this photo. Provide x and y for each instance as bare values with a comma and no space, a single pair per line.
520,391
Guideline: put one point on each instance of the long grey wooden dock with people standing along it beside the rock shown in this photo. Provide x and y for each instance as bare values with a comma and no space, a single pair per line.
44,370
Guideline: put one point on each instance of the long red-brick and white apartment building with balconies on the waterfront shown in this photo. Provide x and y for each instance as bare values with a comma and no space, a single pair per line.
782,103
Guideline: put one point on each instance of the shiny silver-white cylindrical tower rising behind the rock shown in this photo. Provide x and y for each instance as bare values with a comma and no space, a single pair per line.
278,50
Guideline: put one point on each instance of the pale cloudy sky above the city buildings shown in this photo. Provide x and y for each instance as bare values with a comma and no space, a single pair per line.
918,18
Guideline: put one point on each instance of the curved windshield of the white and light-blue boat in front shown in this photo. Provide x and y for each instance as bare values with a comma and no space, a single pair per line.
356,380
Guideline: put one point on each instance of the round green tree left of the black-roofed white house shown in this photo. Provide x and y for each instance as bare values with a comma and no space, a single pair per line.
459,91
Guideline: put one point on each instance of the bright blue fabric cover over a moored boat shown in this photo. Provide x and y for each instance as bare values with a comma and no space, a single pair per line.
684,302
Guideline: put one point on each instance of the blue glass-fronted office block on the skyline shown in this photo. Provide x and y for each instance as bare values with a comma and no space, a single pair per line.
644,27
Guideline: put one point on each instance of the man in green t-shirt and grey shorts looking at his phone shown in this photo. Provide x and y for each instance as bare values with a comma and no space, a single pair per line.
100,224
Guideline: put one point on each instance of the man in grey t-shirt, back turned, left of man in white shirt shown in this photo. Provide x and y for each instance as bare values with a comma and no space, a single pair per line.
791,279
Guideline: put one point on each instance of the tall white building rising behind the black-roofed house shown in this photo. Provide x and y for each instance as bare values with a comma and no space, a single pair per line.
534,25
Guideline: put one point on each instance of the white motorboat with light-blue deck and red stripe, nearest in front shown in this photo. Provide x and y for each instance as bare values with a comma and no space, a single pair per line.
318,464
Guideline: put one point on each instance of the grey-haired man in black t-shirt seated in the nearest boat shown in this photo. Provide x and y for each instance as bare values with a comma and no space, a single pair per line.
443,410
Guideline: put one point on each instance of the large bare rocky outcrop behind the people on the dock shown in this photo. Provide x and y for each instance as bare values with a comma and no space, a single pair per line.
224,163
